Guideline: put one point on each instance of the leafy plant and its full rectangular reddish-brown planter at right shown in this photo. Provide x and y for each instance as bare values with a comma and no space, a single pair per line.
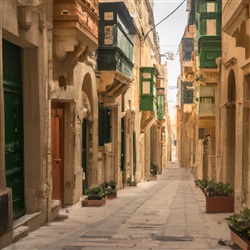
219,196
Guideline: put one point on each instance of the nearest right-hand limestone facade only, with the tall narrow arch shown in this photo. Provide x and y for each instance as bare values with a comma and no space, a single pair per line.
233,125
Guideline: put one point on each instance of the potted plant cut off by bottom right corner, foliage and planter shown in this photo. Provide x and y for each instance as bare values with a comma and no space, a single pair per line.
239,225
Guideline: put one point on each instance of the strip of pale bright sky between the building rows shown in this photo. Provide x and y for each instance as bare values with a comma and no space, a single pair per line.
170,32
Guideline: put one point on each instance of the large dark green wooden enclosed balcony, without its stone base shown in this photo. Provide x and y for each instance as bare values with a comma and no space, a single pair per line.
116,32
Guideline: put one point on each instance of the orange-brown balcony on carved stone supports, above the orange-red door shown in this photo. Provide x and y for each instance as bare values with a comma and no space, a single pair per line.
75,22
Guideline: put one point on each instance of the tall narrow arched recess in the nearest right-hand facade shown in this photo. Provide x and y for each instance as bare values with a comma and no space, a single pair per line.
230,134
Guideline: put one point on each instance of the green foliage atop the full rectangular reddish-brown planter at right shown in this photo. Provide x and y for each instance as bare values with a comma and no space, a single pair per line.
214,188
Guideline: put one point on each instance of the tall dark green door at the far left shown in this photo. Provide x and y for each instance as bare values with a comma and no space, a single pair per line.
13,113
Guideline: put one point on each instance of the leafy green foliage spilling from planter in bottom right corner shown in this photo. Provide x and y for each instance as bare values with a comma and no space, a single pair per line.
240,223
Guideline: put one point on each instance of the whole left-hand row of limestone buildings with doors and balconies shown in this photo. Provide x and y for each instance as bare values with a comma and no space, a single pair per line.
68,118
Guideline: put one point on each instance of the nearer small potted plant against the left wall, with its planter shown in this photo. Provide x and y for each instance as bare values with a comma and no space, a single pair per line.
96,196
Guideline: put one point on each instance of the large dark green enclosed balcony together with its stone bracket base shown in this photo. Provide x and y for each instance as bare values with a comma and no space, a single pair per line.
116,49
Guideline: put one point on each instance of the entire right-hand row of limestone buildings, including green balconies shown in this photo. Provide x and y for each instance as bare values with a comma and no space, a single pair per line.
220,85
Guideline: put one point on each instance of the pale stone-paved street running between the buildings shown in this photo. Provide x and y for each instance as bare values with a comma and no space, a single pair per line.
168,213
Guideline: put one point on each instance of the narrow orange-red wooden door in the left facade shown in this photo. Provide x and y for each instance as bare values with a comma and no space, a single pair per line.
57,144
